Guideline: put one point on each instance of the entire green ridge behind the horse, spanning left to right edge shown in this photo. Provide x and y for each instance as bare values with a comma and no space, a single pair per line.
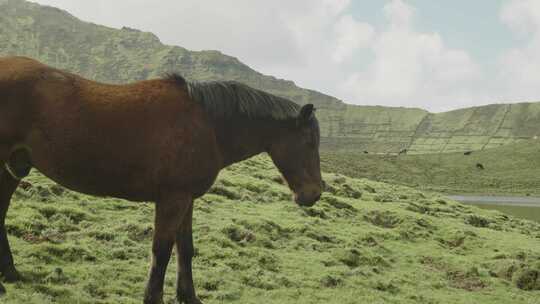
122,55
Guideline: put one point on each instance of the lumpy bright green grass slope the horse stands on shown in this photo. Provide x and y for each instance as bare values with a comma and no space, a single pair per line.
364,242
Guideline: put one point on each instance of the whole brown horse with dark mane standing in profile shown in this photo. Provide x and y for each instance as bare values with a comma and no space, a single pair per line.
162,140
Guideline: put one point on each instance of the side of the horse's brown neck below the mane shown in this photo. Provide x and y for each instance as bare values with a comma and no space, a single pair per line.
242,139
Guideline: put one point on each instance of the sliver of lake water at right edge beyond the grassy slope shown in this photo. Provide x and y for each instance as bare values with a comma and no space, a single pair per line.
523,207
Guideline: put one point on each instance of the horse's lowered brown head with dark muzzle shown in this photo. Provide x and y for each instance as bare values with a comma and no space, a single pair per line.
296,155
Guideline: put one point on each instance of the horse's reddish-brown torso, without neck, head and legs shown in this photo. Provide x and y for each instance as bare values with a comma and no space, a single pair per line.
123,141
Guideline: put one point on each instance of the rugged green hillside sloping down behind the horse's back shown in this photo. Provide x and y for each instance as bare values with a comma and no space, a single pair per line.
118,56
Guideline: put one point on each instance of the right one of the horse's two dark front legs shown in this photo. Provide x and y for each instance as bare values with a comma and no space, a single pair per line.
184,252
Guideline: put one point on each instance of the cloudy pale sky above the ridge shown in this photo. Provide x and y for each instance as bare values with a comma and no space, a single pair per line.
432,54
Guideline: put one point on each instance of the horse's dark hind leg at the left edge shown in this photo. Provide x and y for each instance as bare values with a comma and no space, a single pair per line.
8,184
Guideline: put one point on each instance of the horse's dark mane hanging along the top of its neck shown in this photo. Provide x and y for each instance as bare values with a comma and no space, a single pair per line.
231,99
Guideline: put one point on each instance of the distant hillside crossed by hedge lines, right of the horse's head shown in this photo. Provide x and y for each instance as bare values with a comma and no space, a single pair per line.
389,130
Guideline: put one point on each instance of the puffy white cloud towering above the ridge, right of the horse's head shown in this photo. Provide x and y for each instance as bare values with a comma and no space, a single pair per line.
412,68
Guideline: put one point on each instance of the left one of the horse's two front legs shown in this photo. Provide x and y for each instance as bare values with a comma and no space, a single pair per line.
168,216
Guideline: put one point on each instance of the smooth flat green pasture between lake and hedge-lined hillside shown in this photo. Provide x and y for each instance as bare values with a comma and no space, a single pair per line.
511,169
